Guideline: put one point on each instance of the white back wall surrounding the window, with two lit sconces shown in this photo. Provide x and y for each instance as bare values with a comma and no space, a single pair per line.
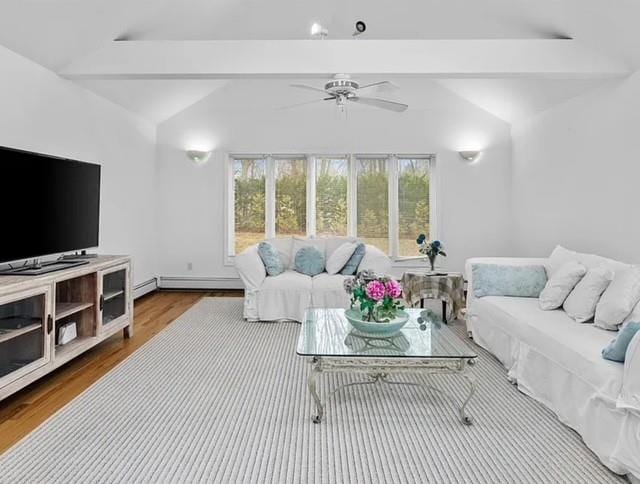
474,200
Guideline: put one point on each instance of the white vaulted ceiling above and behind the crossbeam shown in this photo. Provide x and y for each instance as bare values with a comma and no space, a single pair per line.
56,32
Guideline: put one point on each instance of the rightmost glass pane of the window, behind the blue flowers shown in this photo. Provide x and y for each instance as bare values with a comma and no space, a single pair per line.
413,203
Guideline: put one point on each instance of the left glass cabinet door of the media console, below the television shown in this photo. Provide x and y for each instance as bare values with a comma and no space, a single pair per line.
25,324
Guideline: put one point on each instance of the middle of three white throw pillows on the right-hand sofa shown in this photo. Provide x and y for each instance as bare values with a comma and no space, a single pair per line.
581,303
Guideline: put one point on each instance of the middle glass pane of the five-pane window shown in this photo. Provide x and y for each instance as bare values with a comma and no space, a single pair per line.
331,196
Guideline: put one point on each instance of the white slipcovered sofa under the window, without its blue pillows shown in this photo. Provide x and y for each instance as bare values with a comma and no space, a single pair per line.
288,295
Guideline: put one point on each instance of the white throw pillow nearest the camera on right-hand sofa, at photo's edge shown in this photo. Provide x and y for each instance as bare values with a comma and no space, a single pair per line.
619,300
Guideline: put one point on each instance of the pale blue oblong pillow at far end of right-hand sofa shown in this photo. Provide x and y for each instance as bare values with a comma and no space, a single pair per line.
504,280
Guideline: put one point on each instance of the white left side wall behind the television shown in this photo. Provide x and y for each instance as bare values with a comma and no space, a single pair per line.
41,112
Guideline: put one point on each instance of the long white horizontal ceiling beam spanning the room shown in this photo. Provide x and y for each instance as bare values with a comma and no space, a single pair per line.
229,59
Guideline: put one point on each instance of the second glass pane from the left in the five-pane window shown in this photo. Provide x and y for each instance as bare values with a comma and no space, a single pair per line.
291,197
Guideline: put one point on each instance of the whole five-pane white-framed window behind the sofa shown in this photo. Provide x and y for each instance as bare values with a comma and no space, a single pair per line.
385,200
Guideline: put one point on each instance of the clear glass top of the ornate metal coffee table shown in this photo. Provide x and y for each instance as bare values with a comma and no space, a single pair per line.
326,332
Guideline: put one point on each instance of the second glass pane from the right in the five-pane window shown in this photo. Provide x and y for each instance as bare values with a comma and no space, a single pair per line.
373,202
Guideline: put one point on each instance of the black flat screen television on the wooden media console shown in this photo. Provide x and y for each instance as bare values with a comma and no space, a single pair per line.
49,205
